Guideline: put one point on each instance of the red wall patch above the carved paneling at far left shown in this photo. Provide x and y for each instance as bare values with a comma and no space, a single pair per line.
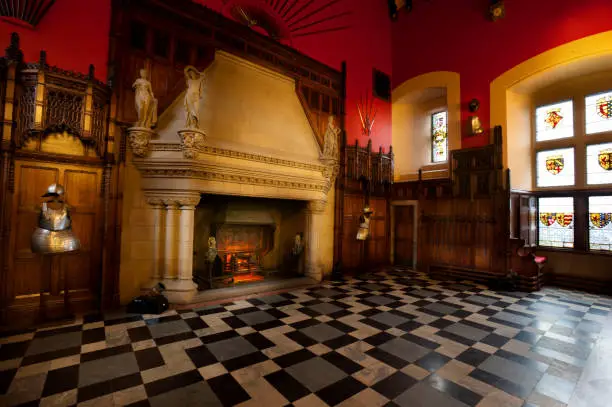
74,33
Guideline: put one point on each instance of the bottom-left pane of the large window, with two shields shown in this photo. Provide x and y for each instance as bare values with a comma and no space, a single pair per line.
556,222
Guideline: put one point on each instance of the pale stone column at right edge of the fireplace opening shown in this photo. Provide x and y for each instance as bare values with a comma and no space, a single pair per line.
314,224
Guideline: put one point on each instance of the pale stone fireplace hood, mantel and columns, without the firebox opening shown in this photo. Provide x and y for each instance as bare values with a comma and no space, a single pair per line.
256,142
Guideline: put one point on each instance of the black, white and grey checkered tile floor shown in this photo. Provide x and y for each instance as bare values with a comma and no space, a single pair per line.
387,339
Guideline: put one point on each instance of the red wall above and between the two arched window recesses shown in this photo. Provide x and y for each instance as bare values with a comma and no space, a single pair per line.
451,35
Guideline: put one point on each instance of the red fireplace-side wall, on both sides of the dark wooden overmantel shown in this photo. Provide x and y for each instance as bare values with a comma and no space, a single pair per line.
75,34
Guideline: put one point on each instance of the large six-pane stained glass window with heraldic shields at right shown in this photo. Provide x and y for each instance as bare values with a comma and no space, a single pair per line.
572,147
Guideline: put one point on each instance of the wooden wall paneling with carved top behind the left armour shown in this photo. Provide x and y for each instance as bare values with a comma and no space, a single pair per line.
57,131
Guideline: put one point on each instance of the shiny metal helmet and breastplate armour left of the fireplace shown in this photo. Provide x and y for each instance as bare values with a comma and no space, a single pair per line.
54,232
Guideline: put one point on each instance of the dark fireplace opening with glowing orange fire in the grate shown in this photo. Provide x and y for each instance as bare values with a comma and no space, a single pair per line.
254,240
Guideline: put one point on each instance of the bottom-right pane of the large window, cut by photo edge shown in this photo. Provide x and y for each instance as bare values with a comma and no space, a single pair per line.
600,223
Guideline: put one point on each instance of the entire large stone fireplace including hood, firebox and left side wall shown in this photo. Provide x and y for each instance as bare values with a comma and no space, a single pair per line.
255,177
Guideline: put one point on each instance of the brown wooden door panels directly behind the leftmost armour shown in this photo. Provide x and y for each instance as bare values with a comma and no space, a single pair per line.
28,276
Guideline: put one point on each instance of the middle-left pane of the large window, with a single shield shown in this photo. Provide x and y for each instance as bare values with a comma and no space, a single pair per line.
555,167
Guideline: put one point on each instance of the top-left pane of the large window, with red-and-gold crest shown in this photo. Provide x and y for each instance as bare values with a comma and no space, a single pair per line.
555,121
